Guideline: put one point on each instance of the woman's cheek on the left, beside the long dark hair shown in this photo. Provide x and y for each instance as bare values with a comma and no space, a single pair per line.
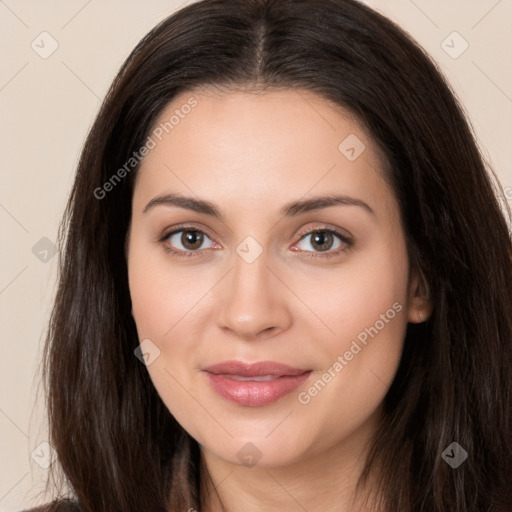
165,302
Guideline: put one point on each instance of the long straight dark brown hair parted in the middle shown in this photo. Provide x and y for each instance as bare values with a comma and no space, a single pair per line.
119,447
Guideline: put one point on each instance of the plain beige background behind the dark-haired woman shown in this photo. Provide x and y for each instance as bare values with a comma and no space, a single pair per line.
47,106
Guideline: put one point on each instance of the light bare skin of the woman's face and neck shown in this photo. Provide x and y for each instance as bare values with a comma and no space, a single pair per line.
250,154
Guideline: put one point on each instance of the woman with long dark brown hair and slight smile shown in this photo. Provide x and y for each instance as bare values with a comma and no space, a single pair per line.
285,279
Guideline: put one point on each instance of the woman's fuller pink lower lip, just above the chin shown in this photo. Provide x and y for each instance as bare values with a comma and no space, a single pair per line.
255,393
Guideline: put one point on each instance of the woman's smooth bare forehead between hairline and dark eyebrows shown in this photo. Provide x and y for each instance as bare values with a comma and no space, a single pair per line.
242,146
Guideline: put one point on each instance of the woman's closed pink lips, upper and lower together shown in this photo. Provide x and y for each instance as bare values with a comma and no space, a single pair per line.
252,393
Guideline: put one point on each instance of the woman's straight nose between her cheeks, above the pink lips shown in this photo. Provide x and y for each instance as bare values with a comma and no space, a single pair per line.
254,303
